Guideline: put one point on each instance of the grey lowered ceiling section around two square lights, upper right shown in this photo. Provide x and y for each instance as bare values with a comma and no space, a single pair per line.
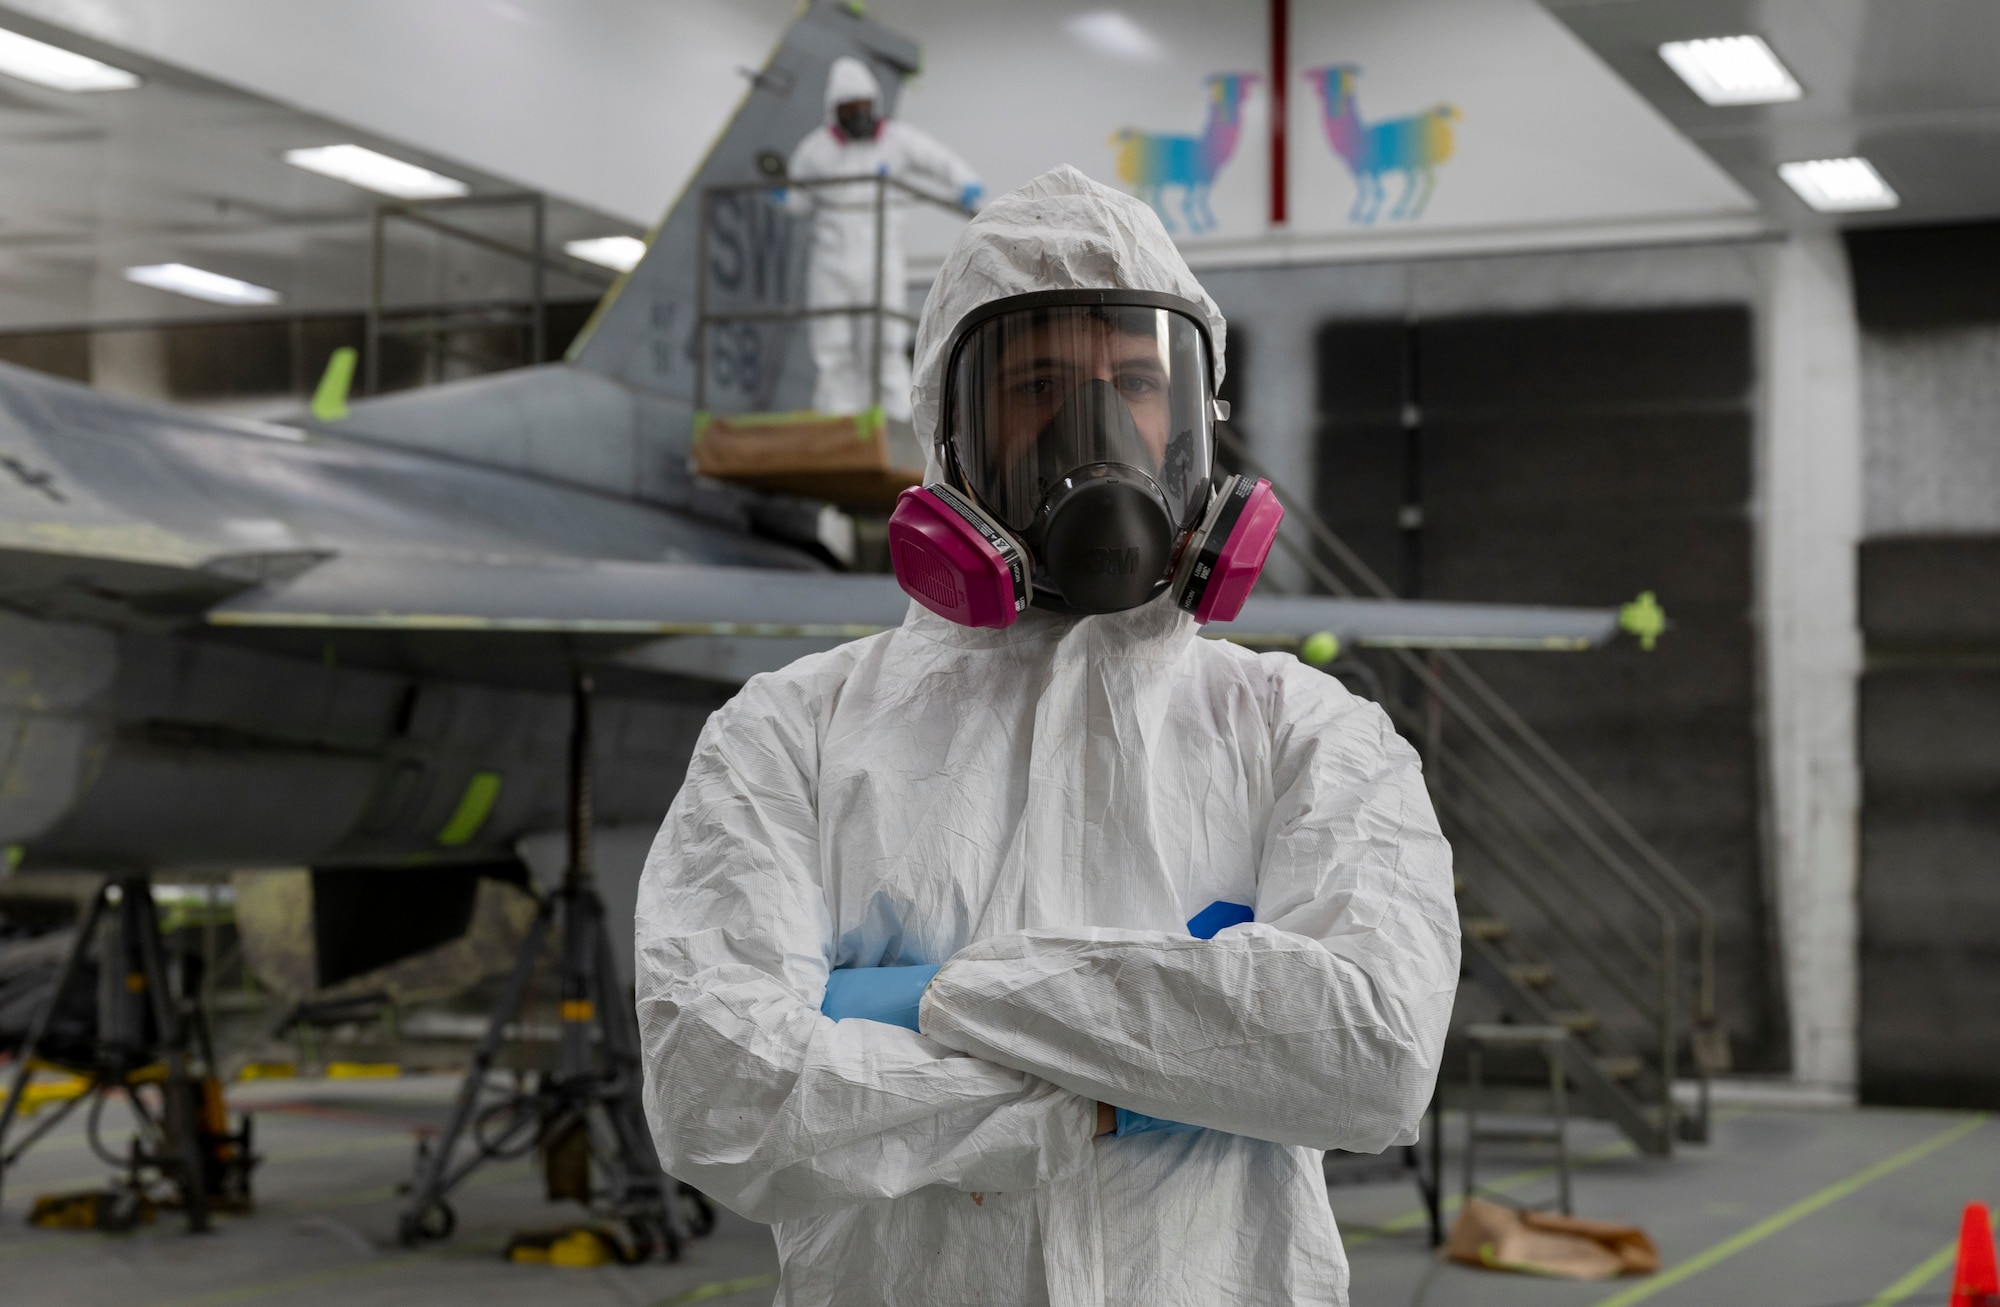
1907,85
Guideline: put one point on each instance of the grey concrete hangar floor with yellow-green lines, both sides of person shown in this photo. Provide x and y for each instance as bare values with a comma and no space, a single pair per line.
1783,1210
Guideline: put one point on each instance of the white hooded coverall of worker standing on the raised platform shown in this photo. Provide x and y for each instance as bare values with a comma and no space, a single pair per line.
845,235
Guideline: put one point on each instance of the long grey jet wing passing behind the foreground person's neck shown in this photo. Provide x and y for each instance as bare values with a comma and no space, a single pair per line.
727,625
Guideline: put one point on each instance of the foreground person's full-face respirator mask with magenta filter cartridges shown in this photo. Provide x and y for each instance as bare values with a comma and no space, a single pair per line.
1077,439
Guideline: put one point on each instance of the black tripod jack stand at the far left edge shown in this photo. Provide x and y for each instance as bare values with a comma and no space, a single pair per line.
145,1046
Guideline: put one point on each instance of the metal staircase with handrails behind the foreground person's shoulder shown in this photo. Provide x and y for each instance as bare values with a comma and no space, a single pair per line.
1569,916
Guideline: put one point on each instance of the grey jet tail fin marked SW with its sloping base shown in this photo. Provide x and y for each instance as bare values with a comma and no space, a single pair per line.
619,415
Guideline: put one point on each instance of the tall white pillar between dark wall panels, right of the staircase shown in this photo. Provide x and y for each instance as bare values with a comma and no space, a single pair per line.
1811,513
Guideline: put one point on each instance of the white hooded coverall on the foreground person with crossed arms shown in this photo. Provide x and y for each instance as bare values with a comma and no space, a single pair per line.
1041,810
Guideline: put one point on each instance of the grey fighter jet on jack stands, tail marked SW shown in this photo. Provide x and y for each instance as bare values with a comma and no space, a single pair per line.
347,643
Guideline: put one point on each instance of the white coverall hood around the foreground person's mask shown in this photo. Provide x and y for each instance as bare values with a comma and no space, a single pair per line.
1057,233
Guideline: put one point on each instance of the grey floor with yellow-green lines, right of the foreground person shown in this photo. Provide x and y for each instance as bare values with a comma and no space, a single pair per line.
1783,1210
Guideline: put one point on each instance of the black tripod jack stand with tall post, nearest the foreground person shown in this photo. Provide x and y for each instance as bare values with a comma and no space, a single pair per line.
587,1116
